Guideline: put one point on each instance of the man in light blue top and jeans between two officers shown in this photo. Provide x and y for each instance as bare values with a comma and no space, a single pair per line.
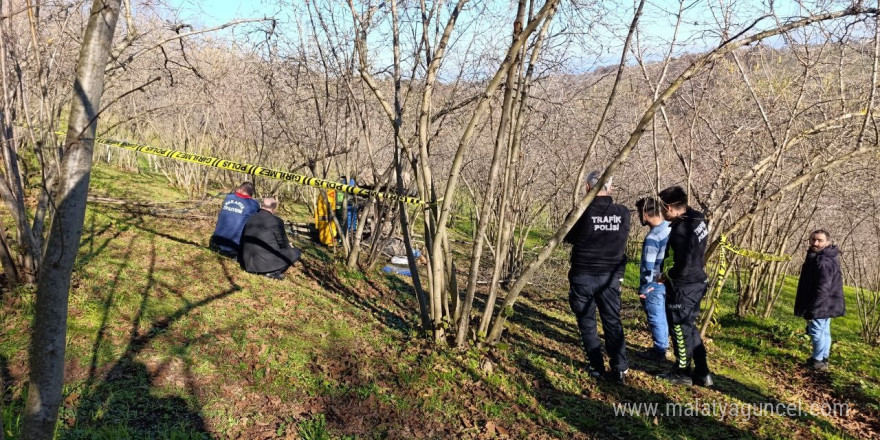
651,291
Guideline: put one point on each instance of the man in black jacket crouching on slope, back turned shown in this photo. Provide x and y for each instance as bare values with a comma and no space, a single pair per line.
265,249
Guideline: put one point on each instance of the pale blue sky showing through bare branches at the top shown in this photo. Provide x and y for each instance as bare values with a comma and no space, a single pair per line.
657,23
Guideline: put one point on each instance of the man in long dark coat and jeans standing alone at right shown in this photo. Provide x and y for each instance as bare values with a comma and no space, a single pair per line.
820,295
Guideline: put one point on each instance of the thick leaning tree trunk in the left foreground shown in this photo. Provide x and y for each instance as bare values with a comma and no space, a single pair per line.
53,283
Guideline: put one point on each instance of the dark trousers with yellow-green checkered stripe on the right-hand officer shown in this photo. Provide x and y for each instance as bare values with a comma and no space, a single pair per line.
682,310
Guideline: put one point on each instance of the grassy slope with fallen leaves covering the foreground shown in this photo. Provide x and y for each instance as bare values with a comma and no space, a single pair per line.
168,340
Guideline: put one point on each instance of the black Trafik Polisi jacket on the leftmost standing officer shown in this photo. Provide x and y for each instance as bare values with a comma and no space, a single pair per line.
599,239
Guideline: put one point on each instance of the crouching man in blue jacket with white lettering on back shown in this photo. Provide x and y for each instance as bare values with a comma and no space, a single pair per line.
237,207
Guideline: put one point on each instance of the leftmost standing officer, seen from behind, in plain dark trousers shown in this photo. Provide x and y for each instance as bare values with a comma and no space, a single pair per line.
598,262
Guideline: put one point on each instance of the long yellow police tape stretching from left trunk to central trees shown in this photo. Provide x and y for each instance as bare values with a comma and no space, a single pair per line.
254,170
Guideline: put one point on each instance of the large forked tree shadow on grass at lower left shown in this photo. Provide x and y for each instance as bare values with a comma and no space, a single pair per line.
122,403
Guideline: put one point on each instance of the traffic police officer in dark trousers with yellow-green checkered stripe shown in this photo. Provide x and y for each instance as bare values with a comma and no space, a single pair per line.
685,283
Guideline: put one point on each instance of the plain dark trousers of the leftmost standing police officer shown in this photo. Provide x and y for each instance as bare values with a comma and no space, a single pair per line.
587,293
